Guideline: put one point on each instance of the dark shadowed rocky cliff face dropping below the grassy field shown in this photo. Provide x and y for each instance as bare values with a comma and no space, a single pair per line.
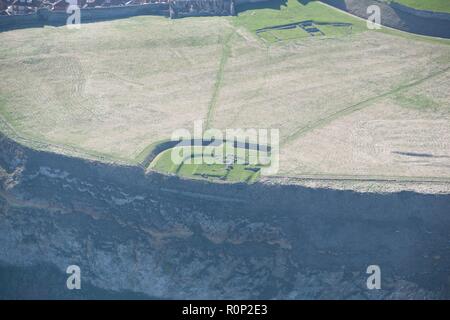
162,237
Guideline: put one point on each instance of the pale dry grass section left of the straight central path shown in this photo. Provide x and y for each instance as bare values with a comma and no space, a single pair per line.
113,87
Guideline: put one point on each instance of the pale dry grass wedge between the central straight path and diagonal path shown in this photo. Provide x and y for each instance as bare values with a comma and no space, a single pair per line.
289,87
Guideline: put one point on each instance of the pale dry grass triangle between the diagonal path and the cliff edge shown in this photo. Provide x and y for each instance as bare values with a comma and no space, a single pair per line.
382,140
